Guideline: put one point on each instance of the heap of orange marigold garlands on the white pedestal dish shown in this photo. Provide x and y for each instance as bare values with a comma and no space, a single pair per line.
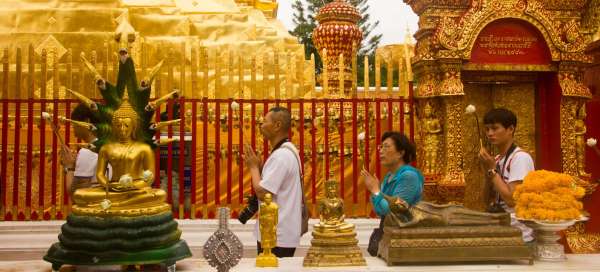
549,196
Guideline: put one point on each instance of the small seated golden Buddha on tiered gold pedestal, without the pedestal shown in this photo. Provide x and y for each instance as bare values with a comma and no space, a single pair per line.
331,211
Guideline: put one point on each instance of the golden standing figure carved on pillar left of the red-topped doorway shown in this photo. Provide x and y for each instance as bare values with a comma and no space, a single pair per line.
433,130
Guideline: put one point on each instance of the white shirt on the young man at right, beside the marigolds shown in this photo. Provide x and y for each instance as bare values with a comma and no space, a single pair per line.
519,164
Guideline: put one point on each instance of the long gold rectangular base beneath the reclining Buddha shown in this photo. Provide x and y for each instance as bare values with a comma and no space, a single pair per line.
453,244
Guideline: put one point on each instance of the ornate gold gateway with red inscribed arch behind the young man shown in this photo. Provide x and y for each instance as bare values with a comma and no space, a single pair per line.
469,52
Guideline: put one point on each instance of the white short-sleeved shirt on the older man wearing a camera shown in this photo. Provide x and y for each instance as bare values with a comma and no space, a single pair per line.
281,176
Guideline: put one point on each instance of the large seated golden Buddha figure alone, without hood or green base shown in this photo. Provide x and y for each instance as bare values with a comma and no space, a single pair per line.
129,190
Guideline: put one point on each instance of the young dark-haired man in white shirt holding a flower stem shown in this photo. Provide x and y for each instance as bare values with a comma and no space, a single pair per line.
509,168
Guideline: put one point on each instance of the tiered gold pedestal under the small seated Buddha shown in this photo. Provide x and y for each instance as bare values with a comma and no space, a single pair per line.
334,249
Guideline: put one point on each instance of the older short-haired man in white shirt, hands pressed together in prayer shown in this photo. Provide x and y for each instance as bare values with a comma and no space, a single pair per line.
280,176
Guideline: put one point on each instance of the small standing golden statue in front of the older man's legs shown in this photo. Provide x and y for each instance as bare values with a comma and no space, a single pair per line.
267,220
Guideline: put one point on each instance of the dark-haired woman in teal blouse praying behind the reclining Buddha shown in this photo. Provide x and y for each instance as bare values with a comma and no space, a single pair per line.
402,180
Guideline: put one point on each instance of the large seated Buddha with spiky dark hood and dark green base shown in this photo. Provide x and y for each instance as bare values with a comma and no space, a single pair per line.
125,221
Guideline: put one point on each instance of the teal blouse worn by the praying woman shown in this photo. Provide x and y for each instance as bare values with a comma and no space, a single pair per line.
406,183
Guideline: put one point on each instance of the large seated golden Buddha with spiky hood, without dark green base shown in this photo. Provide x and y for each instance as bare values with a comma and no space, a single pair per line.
122,145
